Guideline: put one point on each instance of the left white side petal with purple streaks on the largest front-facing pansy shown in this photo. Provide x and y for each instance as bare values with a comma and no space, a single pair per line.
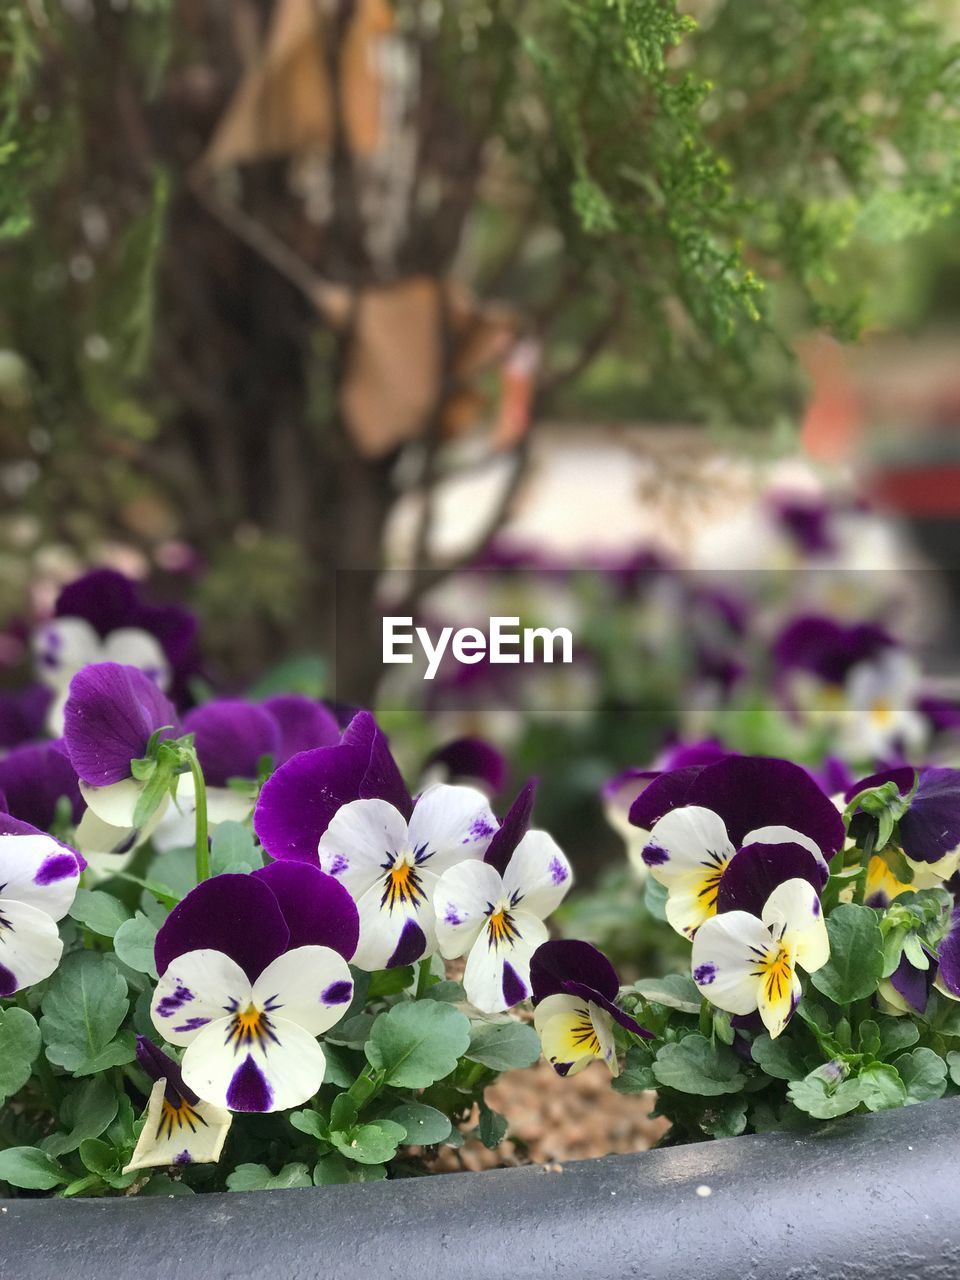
196,991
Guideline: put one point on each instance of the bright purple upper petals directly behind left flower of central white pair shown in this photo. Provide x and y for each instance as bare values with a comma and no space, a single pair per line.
298,803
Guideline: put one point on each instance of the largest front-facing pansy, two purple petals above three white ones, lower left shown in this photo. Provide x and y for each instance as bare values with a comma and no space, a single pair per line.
253,970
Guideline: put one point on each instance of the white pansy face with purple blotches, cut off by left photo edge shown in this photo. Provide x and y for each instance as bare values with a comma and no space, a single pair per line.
39,880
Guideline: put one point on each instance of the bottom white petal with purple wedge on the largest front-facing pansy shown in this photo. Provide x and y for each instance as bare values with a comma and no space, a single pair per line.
282,1071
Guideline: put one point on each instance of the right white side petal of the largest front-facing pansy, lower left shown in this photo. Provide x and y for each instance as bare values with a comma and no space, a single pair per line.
309,986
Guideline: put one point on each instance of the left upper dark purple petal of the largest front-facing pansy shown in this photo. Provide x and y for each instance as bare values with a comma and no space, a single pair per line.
236,915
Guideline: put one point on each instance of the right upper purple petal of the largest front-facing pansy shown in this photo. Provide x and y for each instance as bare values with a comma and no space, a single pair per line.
318,909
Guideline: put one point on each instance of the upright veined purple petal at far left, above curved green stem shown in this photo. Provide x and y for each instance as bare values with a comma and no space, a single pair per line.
112,712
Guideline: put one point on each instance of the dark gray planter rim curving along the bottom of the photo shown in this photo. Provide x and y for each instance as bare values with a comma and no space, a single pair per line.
862,1199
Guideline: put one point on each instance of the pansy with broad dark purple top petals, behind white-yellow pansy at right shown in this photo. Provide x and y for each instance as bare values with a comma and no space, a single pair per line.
725,835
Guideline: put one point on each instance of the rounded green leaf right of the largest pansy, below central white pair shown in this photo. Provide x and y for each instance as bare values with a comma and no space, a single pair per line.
419,1044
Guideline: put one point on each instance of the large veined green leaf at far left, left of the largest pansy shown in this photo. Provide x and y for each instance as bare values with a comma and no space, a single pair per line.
83,1012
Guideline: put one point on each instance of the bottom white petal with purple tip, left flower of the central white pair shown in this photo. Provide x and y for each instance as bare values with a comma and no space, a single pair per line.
396,931
